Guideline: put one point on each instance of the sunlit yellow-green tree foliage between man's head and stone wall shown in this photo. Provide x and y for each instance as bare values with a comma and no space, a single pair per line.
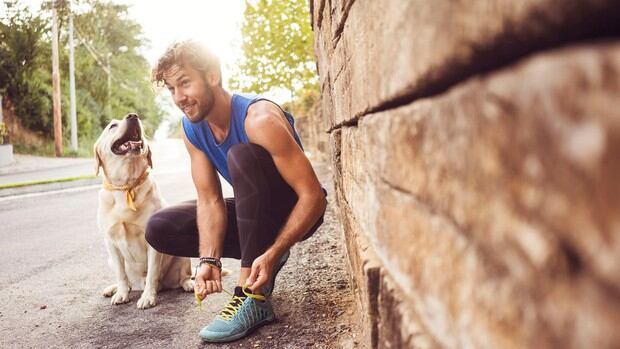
277,46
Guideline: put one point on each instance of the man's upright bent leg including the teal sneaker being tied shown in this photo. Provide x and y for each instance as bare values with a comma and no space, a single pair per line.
263,201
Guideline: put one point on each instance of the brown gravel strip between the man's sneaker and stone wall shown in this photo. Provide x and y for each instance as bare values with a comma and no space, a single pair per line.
313,300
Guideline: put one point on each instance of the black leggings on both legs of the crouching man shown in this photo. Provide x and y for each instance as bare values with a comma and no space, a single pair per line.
262,203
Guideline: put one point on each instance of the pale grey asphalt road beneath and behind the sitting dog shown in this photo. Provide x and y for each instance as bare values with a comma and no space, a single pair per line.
54,266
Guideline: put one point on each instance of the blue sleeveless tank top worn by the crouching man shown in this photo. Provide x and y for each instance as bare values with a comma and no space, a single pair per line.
200,135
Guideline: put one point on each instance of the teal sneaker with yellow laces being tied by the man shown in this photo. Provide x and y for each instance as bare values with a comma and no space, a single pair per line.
241,316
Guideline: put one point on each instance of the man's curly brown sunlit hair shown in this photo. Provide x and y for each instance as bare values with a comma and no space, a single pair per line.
186,53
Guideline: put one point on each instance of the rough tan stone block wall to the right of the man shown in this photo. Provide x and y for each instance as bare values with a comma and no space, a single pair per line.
476,155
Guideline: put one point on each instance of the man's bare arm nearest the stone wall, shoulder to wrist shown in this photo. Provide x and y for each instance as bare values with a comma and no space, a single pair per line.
267,127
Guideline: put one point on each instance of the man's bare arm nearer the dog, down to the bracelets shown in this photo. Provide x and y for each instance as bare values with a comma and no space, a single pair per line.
211,209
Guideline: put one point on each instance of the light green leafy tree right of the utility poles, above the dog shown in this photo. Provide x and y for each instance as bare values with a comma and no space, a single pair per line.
106,36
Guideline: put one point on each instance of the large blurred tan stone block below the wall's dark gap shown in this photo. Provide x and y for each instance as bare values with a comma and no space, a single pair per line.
495,205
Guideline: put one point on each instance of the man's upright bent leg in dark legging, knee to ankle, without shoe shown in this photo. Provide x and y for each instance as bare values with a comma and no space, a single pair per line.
263,201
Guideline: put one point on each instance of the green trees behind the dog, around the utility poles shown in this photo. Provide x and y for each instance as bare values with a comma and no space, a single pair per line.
105,37
